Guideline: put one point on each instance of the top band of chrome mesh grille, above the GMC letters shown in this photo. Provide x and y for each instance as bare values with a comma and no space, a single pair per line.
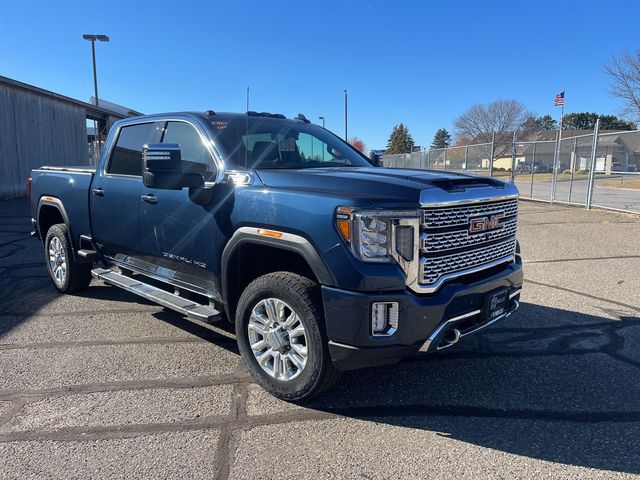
459,216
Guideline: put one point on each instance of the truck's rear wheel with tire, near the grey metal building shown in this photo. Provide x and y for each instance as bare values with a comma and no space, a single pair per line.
67,275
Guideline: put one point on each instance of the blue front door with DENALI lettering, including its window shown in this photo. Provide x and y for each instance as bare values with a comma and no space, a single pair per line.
179,236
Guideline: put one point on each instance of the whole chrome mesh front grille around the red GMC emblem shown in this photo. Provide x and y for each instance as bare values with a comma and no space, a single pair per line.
448,249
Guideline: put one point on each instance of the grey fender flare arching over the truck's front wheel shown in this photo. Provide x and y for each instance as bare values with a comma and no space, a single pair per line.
287,241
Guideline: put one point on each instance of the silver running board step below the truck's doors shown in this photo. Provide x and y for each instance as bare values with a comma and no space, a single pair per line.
204,313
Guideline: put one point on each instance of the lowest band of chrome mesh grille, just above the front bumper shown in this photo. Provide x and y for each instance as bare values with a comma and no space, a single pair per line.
432,268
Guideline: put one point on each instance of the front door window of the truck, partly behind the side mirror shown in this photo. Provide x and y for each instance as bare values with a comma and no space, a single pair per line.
195,156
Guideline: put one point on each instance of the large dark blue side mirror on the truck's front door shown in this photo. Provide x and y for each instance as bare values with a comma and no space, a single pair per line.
162,168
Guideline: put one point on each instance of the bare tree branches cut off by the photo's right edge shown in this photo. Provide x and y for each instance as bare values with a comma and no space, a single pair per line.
625,74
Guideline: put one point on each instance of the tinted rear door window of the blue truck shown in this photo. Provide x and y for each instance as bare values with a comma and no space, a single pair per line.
126,158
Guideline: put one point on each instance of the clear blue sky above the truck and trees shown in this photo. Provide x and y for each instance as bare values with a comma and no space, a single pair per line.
420,63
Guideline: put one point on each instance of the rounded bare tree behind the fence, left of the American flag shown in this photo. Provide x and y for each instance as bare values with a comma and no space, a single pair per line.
502,117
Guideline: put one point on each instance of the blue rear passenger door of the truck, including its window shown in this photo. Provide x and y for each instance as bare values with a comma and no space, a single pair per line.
115,193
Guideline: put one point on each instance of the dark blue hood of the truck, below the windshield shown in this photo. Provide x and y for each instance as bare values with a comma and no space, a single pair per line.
372,183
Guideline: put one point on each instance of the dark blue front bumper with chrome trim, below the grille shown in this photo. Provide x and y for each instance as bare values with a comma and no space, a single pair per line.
426,322
